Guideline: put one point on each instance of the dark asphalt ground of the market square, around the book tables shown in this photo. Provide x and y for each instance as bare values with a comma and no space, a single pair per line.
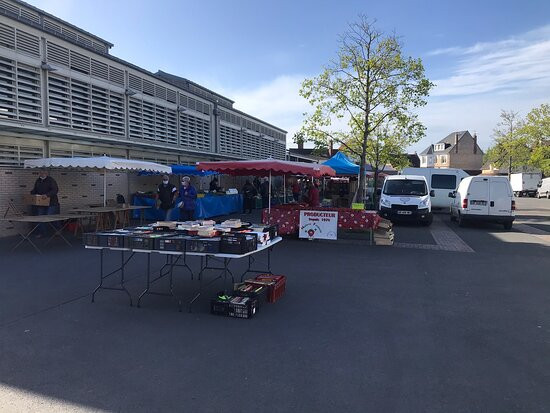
448,320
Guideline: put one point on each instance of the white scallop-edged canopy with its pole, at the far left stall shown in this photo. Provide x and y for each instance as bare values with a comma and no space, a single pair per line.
101,163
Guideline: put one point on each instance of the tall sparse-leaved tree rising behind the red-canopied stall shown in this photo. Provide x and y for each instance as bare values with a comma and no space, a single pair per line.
370,83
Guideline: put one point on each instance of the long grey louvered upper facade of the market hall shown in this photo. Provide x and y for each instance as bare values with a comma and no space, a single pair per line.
60,86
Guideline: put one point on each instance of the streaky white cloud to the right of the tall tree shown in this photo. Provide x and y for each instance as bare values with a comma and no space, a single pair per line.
510,74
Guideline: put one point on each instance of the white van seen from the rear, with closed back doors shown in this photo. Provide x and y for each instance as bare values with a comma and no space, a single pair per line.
483,198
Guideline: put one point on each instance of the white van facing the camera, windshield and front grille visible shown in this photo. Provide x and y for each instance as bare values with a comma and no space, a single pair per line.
406,197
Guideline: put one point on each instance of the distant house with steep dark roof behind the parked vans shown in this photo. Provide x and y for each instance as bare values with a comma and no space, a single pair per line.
457,150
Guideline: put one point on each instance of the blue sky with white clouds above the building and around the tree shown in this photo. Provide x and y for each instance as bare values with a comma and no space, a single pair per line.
483,55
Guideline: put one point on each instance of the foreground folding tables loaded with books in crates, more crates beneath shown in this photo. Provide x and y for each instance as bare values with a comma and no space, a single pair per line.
217,246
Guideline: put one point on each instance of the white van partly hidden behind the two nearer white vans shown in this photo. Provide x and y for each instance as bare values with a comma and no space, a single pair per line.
441,180
